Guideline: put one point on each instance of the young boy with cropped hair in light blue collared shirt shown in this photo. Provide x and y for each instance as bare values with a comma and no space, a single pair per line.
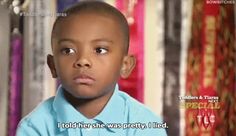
90,53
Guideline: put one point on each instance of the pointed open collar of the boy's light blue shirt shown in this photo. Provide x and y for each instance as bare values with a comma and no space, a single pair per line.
113,112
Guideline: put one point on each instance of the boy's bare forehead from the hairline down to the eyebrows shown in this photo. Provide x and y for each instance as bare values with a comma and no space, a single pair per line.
105,30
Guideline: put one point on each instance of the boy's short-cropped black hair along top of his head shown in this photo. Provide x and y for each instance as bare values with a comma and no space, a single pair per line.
97,7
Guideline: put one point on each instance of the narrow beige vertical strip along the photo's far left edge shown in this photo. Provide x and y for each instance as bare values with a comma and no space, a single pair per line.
4,67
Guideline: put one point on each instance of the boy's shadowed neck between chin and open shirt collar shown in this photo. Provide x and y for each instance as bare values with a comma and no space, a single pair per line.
90,108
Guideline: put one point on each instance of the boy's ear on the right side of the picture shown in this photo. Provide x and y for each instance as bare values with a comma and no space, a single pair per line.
128,65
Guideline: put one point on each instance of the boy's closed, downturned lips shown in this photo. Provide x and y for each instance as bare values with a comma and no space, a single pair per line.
84,79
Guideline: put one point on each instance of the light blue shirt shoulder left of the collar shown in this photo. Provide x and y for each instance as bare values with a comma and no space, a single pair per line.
35,121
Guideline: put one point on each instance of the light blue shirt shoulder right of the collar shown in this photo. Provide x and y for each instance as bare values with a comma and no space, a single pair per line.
139,113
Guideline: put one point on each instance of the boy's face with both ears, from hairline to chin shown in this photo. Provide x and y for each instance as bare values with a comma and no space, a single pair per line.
89,55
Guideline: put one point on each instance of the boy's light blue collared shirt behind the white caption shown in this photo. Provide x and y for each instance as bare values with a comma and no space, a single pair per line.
122,116
